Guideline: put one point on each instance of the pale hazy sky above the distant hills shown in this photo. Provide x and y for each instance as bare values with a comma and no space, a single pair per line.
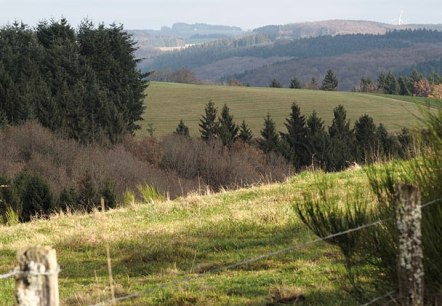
148,14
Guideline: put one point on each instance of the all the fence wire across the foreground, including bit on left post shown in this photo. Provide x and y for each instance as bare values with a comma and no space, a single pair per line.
243,262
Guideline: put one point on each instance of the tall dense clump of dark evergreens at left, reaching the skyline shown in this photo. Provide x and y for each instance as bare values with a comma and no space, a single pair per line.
83,84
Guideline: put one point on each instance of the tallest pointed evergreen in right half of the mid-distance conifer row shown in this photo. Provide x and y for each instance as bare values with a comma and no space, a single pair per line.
296,148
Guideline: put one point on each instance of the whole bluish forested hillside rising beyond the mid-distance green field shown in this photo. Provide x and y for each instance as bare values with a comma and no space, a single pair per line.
259,58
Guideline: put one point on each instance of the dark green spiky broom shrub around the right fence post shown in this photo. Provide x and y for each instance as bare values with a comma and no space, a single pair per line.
370,254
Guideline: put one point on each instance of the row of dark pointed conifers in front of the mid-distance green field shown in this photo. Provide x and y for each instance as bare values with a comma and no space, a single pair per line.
307,141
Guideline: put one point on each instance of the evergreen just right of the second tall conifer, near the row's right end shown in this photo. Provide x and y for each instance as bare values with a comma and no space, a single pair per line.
365,135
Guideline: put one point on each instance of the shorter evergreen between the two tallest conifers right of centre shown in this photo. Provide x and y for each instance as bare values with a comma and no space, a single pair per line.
317,138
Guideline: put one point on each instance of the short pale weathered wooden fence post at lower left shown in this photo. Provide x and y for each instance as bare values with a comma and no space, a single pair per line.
37,277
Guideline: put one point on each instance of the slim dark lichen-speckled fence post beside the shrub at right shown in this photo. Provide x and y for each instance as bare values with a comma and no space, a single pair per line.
410,265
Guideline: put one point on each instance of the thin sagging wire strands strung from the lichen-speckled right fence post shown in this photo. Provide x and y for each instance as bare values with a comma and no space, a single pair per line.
257,258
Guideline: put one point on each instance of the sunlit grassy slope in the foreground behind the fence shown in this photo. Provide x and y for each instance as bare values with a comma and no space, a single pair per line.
157,244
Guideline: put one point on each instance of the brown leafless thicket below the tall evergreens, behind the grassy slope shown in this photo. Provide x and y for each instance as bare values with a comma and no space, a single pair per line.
176,165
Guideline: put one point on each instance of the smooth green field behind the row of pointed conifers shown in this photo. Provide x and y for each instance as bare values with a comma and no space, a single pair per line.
167,103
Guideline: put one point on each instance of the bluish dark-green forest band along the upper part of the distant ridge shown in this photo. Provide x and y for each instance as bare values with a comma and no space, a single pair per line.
260,45
